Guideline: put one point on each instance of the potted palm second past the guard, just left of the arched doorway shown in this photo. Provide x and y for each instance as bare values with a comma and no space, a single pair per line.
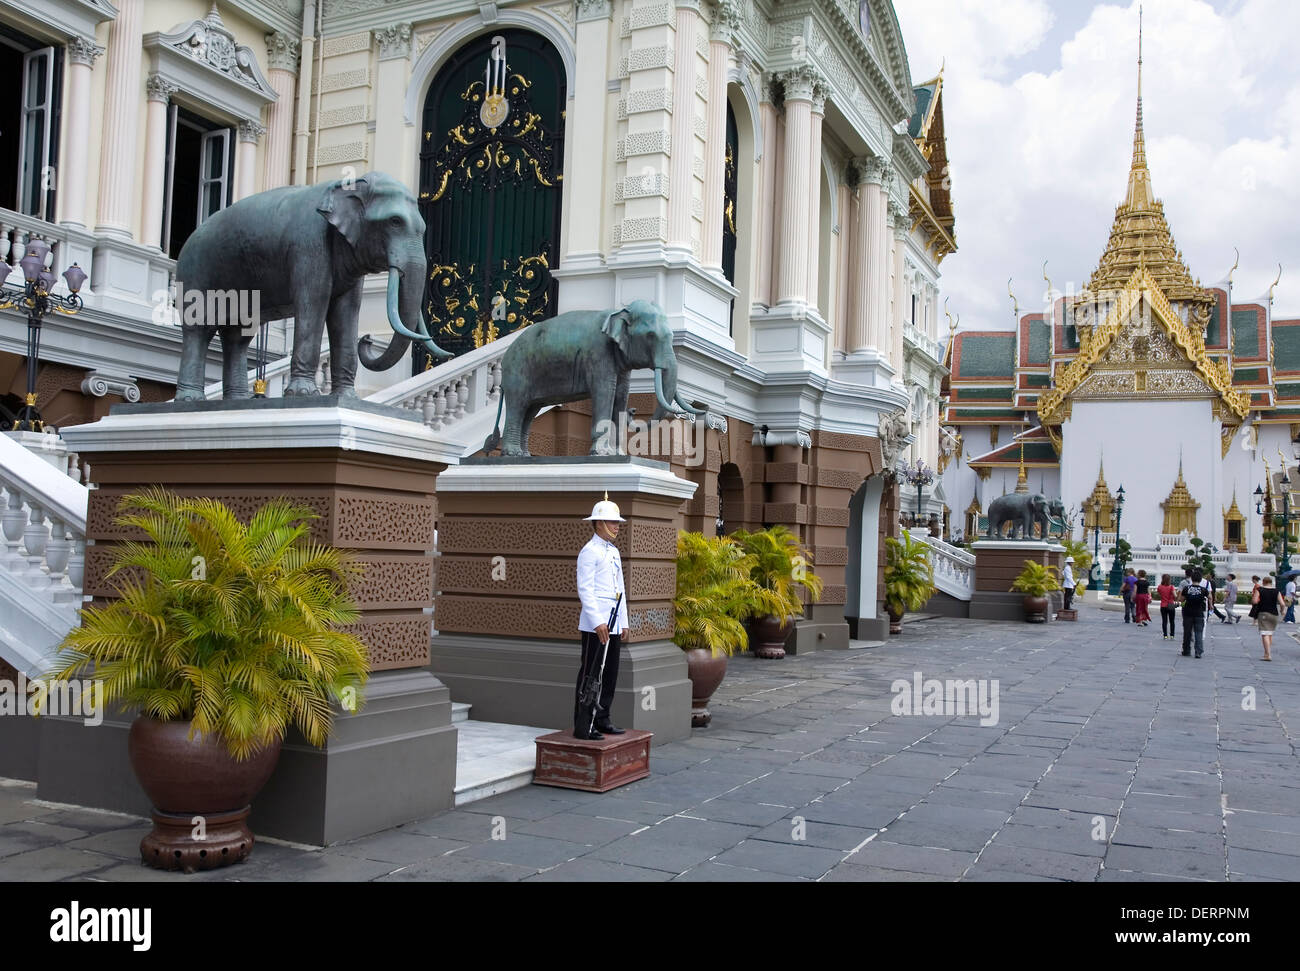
782,567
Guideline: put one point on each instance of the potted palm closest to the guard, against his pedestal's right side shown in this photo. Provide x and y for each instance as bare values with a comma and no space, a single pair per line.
716,597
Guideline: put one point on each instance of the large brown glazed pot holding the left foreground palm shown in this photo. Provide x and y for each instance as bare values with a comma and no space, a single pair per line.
201,795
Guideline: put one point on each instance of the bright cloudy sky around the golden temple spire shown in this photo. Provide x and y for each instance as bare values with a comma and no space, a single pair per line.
1039,103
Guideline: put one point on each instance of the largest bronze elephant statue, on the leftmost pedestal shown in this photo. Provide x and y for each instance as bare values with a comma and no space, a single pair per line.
302,253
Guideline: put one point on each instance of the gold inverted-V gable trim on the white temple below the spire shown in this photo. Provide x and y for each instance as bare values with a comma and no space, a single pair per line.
1141,285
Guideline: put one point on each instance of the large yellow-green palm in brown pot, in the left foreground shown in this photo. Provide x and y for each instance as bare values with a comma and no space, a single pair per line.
223,636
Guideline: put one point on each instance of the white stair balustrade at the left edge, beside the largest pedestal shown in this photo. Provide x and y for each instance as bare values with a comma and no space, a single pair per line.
44,561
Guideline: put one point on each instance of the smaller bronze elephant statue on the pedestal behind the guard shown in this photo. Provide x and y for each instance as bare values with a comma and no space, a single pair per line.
587,354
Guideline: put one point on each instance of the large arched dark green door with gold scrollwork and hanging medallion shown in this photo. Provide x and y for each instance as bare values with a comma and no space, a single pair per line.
491,179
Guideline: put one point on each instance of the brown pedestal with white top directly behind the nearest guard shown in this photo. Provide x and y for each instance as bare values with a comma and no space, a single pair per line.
509,536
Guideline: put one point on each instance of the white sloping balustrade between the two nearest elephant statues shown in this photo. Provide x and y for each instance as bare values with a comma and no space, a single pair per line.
448,395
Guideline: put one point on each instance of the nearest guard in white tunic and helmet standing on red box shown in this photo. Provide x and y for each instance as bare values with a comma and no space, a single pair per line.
600,582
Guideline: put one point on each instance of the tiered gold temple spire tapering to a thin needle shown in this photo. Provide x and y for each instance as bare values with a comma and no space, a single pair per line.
1141,236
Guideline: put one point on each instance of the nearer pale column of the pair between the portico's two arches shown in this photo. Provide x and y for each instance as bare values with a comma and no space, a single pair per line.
792,248
